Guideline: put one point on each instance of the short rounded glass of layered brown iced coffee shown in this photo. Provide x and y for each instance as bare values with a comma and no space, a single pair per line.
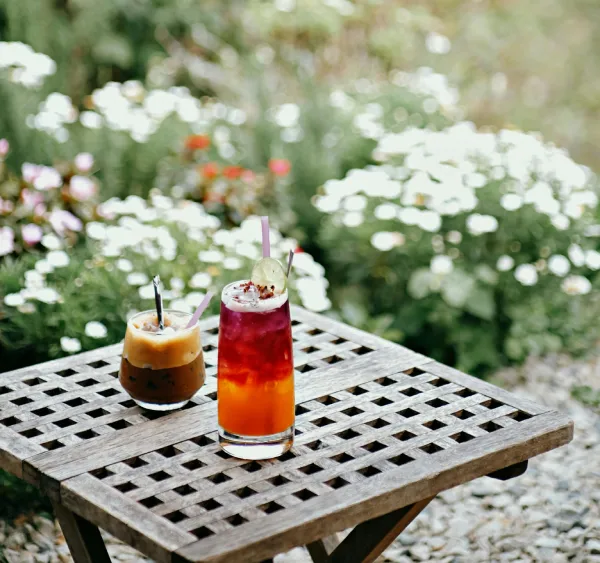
162,372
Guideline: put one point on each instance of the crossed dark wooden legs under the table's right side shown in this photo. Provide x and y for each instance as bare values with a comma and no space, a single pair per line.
368,540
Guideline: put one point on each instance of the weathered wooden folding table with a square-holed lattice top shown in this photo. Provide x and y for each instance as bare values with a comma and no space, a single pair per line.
380,430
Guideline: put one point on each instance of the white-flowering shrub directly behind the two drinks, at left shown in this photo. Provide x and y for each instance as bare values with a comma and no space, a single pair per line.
59,302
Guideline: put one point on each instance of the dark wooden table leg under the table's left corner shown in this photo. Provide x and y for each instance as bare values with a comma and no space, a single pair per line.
83,538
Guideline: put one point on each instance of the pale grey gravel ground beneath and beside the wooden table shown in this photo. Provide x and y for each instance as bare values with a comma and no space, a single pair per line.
552,513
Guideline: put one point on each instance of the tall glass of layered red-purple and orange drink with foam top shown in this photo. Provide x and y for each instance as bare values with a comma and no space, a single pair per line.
255,375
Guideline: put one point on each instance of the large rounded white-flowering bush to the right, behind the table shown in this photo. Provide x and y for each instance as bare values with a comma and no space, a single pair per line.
473,243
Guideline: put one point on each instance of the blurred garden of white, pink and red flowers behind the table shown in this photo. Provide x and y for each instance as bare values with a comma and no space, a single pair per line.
432,164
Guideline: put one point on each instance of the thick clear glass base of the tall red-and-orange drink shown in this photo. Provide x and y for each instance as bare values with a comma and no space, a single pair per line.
256,447
